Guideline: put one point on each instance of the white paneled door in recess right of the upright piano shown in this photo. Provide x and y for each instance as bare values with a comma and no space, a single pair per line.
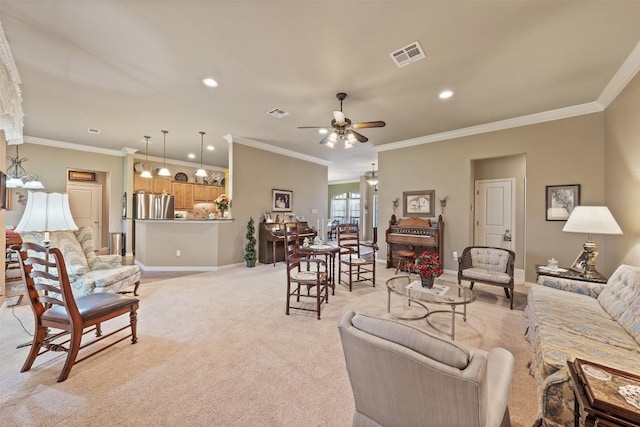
494,213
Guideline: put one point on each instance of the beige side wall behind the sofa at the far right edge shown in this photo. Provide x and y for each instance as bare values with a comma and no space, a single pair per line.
622,177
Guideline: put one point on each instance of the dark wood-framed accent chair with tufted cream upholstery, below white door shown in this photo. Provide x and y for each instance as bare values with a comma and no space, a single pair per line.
489,265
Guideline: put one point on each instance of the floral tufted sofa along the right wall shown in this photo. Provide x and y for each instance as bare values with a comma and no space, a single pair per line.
591,321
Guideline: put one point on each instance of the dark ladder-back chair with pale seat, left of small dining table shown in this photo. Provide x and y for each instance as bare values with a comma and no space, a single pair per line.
300,274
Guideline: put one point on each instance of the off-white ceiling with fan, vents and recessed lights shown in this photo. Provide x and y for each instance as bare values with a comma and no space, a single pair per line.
134,68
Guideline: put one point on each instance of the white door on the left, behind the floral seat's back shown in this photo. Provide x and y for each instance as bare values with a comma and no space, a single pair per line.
85,202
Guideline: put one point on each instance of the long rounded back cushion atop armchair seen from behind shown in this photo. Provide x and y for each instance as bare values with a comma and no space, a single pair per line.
431,346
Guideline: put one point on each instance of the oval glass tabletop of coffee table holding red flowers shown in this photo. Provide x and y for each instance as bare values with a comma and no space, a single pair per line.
442,292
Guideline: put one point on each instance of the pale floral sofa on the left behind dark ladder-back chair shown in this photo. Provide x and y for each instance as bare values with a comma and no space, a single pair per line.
89,273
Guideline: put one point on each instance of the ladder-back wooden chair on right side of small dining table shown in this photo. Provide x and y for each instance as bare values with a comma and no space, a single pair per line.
357,265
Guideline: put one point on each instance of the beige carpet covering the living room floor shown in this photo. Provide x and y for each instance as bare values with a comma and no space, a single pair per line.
216,349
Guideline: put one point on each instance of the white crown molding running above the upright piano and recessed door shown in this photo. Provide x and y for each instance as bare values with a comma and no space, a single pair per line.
546,116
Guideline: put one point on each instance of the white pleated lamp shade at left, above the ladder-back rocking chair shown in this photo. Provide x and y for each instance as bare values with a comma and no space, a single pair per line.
46,212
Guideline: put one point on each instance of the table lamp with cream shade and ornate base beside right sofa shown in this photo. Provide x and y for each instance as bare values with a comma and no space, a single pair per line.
591,220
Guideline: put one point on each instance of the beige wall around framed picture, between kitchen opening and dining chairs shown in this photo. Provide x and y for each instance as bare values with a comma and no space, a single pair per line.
255,173
